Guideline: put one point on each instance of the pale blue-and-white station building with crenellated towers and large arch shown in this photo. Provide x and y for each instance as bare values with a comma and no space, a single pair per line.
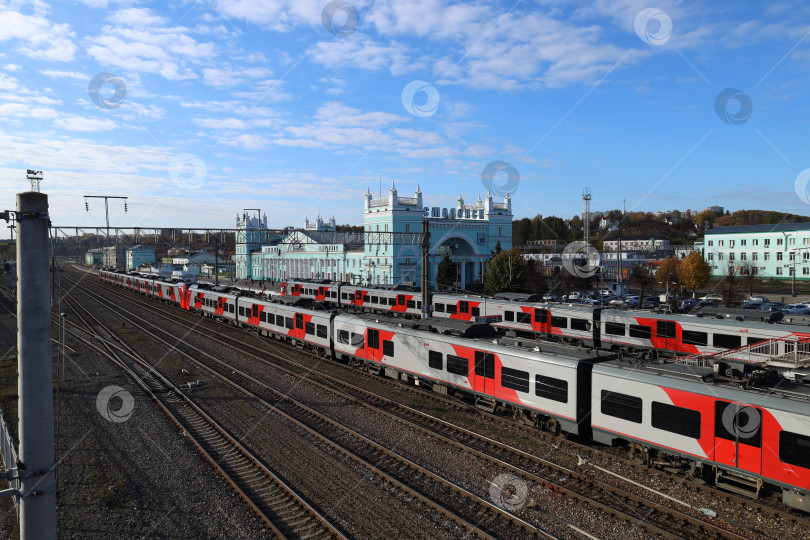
467,233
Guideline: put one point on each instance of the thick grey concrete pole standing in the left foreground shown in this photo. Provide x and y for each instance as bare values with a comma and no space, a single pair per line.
35,387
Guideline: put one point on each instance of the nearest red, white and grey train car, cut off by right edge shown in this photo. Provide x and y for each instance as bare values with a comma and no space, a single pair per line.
672,419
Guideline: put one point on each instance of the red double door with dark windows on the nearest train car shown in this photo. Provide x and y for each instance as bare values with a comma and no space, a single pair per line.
738,436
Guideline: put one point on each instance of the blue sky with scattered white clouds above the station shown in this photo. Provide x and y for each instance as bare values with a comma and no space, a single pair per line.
197,110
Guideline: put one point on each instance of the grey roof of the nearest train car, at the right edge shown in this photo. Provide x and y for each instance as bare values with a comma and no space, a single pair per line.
781,394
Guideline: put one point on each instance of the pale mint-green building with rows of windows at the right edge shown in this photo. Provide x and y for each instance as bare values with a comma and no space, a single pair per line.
779,250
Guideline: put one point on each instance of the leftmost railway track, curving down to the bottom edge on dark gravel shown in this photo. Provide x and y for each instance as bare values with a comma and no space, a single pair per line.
285,513
